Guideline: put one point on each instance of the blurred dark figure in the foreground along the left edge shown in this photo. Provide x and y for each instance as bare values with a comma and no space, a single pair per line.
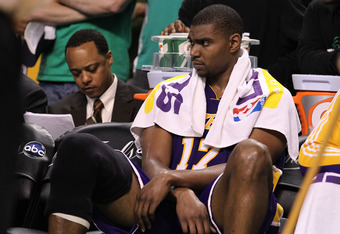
10,118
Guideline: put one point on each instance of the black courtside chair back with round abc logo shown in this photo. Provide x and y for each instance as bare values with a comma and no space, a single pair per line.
36,148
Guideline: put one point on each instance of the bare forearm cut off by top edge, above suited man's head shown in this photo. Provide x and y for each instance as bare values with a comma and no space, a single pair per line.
97,7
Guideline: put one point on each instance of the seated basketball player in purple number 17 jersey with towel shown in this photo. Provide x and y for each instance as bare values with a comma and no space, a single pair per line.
211,141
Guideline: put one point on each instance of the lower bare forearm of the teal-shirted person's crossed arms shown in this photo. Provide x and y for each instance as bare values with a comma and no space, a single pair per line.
55,13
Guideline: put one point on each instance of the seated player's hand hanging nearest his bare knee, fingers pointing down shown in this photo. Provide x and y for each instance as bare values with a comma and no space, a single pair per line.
191,212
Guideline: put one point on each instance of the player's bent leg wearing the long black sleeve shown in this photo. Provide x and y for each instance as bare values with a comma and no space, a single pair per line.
88,172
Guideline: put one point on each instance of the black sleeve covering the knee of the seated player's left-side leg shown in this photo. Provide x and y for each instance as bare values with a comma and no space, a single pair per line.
85,171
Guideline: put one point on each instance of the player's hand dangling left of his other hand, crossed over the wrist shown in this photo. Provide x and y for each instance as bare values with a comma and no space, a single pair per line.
148,199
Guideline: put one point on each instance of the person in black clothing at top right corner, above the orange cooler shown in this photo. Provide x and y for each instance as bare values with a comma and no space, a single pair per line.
319,42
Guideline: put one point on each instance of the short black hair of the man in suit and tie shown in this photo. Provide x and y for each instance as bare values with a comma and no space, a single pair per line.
87,35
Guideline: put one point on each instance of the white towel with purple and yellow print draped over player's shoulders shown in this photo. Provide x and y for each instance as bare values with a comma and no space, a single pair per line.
252,99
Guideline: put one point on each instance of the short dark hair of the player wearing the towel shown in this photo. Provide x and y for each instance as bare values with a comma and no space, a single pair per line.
225,19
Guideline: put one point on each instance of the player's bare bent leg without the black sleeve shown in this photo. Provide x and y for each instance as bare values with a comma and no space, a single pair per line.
241,196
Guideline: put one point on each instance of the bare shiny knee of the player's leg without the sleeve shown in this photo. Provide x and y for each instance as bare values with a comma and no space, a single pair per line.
253,158
